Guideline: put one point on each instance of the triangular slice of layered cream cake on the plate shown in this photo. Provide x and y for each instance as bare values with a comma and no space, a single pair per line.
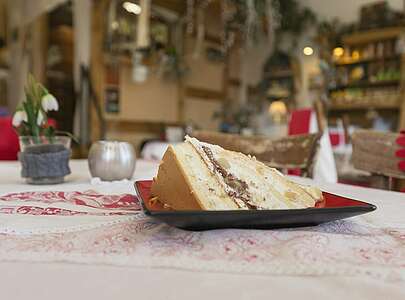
196,175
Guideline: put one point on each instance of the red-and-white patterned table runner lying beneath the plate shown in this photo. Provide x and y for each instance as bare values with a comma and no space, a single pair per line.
349,247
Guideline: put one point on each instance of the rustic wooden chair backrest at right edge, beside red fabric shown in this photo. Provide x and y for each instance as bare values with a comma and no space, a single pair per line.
376,152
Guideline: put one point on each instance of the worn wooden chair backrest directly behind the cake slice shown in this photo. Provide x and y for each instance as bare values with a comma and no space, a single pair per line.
292,152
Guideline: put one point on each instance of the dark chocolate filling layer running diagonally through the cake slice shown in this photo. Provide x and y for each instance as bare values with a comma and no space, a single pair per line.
237,188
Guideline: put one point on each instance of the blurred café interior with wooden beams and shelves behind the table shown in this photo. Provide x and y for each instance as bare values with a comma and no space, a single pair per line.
148,72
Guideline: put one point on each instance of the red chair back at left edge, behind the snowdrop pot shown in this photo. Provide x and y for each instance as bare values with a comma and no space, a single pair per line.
9,145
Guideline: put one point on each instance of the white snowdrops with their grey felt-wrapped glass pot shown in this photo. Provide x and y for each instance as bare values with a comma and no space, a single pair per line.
44,153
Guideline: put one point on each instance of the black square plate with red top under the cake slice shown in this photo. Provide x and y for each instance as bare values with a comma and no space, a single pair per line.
334,208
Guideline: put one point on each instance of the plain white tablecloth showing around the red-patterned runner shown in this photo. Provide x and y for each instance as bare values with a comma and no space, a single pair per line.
41,280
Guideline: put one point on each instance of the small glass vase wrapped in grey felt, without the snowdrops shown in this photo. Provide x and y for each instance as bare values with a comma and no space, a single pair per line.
44,160
